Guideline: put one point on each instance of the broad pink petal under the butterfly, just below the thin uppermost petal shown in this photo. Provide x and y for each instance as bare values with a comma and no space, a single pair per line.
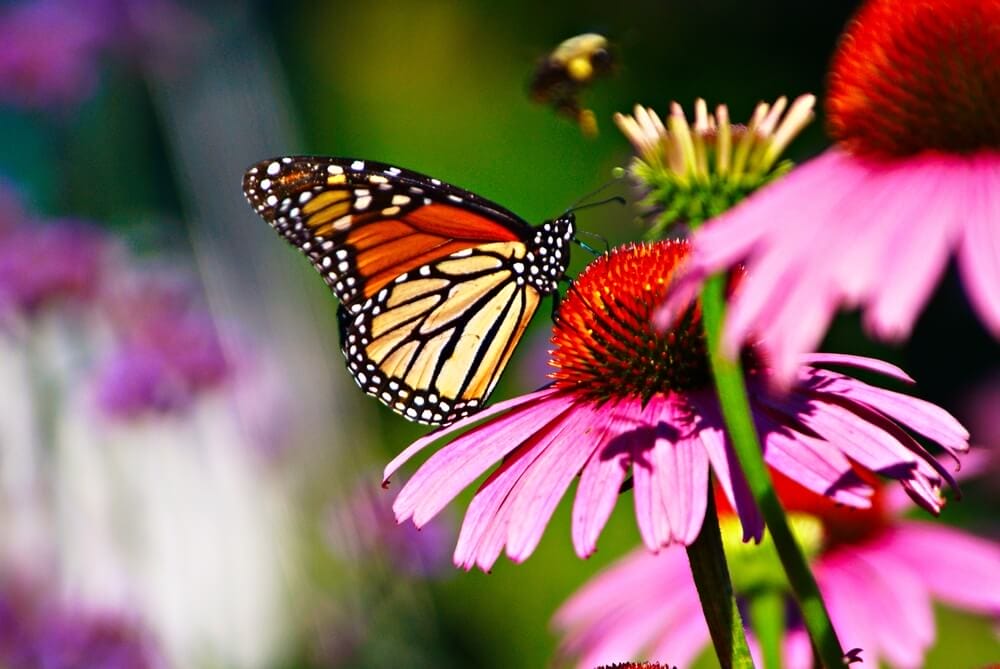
459,463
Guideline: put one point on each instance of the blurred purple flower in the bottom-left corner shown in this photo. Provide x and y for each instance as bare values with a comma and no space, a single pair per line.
36,632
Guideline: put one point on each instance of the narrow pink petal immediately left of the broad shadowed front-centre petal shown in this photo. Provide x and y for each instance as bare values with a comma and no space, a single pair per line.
599,485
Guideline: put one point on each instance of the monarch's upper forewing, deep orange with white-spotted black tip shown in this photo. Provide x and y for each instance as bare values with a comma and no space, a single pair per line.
363,223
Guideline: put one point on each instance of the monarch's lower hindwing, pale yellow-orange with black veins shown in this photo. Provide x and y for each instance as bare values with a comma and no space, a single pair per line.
431,345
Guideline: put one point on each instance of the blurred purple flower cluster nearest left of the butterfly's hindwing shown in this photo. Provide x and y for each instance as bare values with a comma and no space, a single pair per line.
169,348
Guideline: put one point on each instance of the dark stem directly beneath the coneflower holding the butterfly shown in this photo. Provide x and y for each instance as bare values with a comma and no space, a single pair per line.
711,577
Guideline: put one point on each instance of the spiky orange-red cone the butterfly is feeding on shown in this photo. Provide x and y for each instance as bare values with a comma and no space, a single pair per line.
605,343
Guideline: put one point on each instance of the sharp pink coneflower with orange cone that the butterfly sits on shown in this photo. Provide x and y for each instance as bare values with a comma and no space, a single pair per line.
629,400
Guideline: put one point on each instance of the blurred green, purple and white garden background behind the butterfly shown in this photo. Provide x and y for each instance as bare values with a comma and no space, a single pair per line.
189,477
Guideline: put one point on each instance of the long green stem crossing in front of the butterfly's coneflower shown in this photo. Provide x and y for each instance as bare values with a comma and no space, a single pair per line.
732,393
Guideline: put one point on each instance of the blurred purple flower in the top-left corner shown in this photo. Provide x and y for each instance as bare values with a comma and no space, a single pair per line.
49,53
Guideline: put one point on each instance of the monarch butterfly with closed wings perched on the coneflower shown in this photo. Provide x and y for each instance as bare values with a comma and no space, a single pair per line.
436,284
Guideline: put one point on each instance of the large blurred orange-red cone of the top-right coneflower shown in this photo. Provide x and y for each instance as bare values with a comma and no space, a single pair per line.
916,76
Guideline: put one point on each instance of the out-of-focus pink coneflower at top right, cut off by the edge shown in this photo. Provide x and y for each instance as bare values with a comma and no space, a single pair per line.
913,177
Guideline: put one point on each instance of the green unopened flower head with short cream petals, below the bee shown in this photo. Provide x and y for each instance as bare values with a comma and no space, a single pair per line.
692,173
